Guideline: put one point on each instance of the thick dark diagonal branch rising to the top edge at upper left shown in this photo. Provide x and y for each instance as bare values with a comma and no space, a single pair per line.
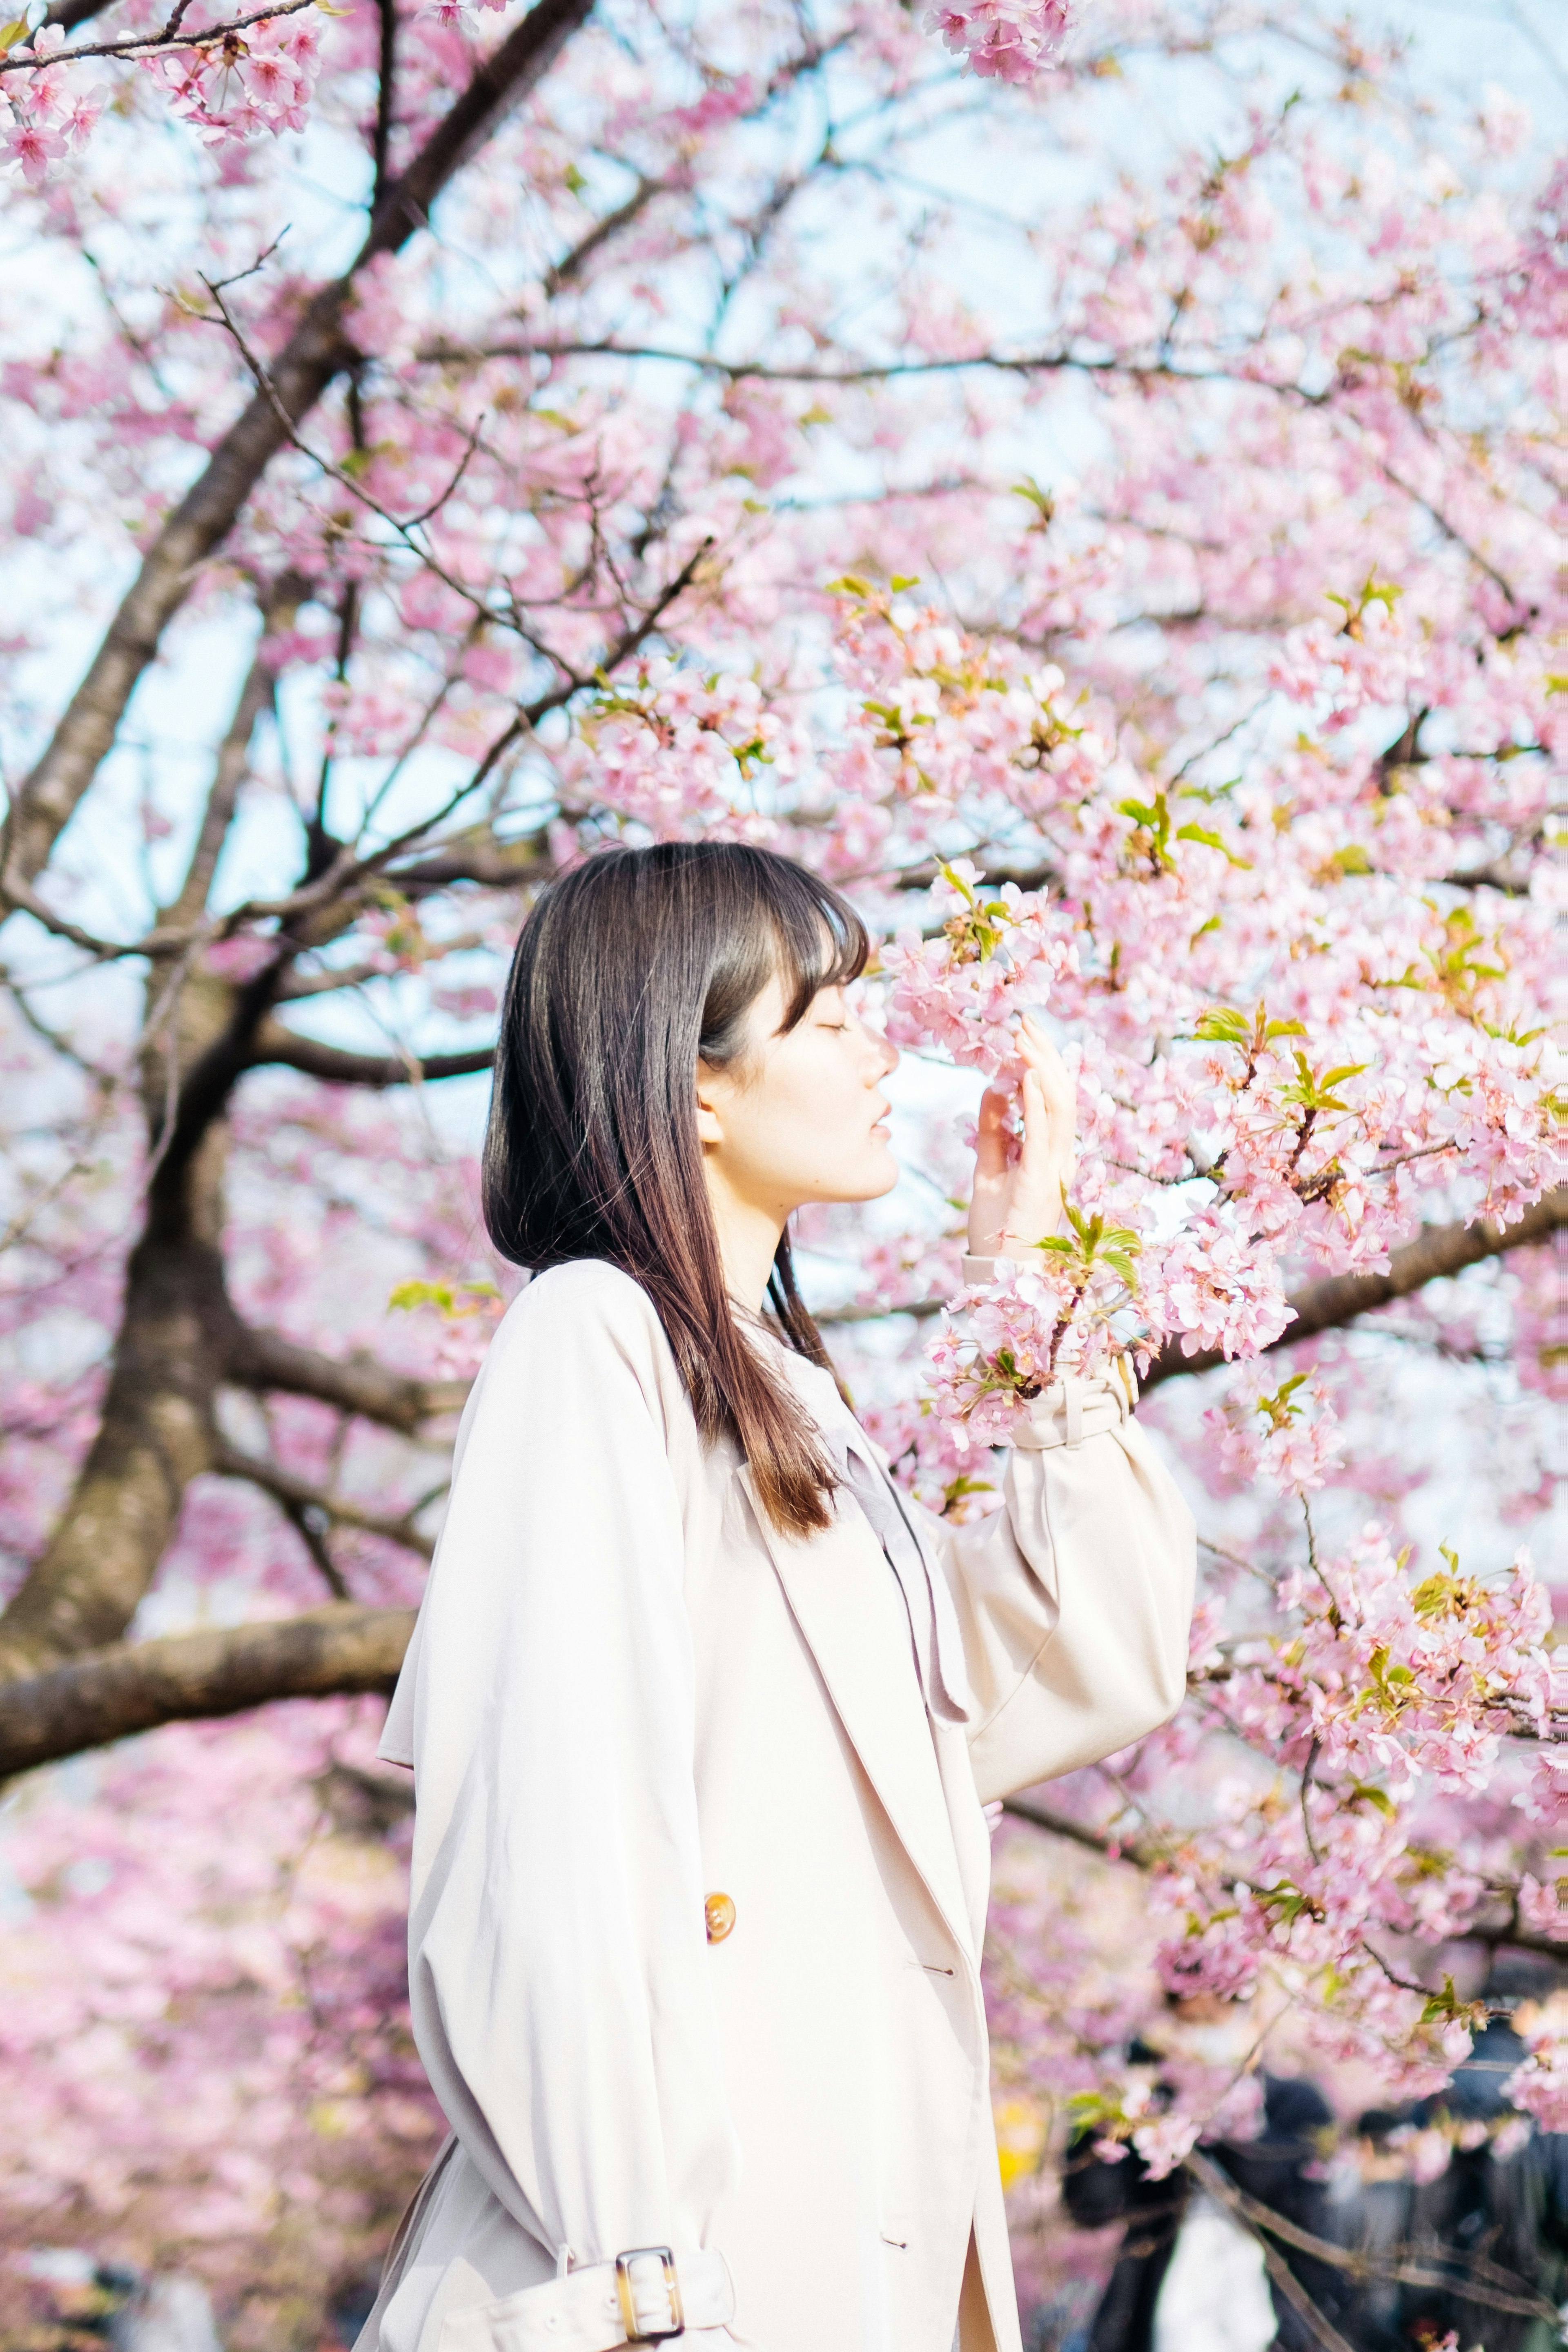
300,375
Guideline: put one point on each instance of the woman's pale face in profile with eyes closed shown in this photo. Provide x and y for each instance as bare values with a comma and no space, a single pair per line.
800,1116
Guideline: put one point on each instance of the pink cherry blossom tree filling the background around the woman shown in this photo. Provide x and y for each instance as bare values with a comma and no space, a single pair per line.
1090,490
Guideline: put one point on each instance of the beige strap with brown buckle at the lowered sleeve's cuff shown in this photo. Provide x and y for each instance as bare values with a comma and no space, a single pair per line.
664,2297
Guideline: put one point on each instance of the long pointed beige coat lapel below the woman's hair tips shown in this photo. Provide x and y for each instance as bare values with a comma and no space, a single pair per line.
852,1617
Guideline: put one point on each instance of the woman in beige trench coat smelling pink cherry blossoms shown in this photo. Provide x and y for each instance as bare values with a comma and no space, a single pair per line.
702,1711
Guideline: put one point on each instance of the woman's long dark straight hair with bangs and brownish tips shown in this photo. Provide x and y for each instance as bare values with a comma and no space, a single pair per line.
629,973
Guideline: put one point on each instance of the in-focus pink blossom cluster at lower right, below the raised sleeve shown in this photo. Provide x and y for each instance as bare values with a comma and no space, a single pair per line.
1388,1690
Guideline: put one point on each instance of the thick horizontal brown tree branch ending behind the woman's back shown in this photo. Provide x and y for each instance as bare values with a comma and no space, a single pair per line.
220,1671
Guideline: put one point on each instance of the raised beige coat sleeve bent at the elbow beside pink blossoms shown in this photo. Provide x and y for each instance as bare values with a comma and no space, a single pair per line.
1076,1598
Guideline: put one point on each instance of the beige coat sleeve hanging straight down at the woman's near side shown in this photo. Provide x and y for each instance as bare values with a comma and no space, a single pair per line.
558,1960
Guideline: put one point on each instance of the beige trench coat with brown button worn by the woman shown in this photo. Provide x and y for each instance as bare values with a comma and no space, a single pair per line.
626,1695
